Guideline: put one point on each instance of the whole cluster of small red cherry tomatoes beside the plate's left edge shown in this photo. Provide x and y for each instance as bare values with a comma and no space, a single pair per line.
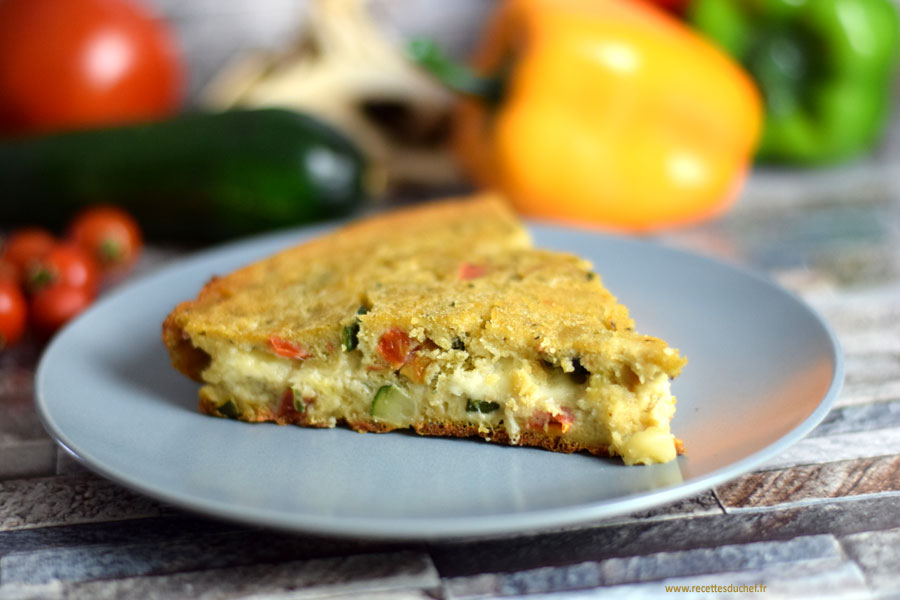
46,280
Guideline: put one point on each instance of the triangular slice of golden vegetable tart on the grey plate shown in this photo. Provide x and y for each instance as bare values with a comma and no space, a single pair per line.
441,317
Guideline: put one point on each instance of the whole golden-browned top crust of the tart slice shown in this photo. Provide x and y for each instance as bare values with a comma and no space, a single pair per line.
406,267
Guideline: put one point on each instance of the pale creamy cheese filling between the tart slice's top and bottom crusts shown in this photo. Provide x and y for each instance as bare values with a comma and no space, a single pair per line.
632,421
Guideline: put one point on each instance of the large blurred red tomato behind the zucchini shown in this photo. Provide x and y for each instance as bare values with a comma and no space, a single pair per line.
67,64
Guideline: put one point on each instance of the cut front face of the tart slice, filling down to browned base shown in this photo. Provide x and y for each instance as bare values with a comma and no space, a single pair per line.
438,390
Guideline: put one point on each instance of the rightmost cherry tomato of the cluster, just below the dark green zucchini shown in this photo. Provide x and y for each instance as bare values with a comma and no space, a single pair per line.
110,235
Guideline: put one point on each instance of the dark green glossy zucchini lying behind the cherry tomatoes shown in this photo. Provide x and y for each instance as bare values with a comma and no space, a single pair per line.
197,176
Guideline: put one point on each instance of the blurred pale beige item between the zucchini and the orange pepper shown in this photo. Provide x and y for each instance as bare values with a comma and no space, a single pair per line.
343,69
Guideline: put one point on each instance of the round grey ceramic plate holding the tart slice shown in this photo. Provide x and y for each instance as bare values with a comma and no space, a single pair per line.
764,369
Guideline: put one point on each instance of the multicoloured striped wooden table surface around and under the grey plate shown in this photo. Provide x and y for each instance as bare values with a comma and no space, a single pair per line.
822,519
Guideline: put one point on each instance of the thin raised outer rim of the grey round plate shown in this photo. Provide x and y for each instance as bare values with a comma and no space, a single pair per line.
439,528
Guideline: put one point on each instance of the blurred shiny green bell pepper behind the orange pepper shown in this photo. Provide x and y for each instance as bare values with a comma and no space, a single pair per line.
825,69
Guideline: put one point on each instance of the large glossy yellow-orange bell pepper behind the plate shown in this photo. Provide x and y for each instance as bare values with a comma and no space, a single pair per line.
608,111
